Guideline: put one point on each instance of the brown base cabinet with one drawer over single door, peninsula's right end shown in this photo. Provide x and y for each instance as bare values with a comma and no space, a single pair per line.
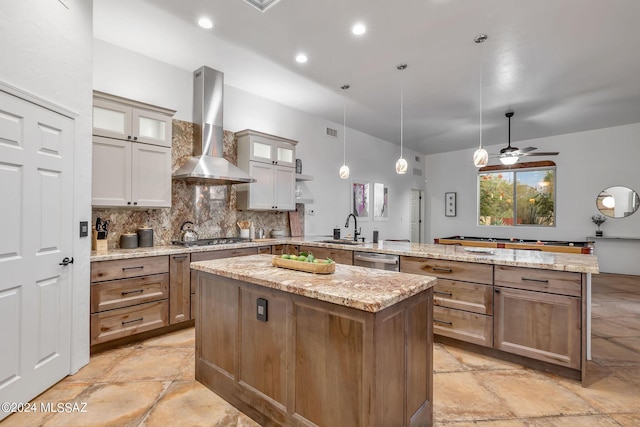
538,314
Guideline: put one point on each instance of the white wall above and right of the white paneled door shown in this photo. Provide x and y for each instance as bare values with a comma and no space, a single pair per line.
47,52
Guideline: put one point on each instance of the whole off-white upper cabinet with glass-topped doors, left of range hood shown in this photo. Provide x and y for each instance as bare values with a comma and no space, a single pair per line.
131,154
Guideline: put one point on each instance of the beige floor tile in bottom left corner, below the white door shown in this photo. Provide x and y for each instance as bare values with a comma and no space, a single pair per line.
60,393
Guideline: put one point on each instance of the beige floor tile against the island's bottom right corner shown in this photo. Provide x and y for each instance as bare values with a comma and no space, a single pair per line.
458,396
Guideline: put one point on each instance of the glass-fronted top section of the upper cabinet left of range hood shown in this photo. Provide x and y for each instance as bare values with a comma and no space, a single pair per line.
115,117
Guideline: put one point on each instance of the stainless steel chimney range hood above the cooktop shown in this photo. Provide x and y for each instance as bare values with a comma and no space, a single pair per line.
207,166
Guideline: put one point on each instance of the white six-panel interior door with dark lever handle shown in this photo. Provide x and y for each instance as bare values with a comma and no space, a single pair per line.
36,169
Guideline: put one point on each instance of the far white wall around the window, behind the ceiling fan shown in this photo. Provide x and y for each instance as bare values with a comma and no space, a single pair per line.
588,163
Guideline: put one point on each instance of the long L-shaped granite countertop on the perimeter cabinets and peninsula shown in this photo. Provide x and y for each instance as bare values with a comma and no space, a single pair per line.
580,263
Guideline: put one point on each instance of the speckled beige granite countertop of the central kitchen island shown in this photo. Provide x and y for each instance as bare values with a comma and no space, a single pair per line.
361,288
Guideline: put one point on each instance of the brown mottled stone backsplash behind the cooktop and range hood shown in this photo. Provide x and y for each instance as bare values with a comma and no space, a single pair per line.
211,208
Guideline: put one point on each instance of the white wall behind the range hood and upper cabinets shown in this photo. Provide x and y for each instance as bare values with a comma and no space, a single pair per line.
369,158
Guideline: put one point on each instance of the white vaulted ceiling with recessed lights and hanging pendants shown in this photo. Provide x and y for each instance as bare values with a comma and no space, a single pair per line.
562,65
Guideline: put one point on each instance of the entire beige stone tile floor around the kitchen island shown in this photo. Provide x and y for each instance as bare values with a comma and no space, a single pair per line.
152,383
